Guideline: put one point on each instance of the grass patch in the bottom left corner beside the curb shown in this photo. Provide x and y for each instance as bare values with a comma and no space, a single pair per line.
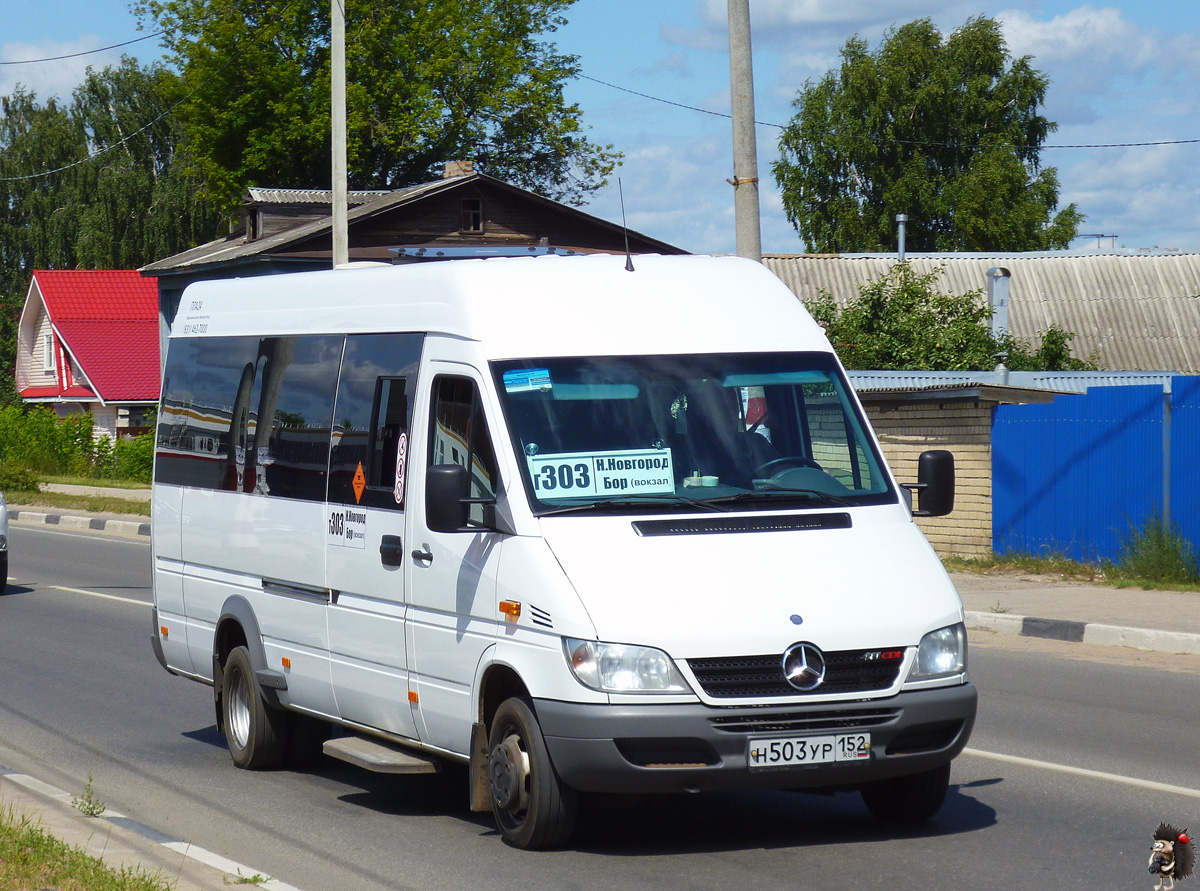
32,860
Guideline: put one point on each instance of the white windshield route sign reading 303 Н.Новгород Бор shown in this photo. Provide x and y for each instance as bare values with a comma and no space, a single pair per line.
581,475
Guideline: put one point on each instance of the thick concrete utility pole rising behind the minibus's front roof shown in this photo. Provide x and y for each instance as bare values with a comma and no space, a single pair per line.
746,151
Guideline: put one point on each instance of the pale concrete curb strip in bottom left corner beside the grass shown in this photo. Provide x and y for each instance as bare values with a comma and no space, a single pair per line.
123,842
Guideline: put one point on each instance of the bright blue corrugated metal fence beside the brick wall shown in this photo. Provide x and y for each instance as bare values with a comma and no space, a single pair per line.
1073,477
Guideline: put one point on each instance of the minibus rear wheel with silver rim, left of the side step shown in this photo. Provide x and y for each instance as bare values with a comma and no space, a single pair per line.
255,732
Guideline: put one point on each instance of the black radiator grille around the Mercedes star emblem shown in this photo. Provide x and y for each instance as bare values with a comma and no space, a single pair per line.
847,672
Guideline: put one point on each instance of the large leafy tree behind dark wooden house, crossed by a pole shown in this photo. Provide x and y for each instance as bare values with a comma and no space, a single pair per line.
428,81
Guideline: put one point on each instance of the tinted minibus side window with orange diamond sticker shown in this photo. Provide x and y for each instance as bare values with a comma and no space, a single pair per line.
373,418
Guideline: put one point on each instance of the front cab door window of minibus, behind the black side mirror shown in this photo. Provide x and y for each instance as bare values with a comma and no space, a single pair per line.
459,435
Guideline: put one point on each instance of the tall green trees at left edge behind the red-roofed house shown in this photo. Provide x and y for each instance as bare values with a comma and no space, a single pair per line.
99,184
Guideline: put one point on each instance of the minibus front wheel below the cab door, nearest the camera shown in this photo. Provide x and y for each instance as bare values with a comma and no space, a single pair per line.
533,809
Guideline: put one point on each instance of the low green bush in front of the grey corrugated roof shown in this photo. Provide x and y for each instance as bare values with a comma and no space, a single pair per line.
902,322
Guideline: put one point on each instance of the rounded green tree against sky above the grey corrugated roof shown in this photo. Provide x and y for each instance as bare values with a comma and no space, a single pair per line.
945,131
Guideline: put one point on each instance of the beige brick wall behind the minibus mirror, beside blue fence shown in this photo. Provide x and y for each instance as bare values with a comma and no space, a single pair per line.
905,430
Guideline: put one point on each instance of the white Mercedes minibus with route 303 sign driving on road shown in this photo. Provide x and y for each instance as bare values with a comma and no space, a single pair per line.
580,528
